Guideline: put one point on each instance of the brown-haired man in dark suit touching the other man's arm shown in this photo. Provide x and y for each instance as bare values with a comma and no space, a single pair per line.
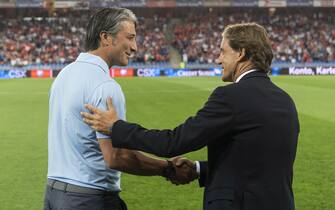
250,127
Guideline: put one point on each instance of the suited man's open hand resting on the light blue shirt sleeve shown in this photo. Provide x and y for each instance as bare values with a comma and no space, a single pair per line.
99,120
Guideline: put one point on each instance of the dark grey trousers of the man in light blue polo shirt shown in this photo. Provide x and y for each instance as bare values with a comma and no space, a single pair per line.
62,200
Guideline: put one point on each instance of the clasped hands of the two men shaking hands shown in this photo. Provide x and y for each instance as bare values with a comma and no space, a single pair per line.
180,171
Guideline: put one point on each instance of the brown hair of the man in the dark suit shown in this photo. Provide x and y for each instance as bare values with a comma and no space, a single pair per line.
254,39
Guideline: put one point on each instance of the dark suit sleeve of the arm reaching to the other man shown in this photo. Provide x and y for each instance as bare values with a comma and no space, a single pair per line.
210,124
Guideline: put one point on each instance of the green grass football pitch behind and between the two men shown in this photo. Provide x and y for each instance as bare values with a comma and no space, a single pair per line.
161,103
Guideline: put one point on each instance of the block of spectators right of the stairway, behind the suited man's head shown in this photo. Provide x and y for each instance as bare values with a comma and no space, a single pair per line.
295,38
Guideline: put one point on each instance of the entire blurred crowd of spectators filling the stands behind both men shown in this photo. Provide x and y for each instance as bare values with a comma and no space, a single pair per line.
295,37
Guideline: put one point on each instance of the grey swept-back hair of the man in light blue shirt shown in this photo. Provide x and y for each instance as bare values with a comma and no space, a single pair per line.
106,20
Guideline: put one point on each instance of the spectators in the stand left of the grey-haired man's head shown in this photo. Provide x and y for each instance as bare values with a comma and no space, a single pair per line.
40,40
